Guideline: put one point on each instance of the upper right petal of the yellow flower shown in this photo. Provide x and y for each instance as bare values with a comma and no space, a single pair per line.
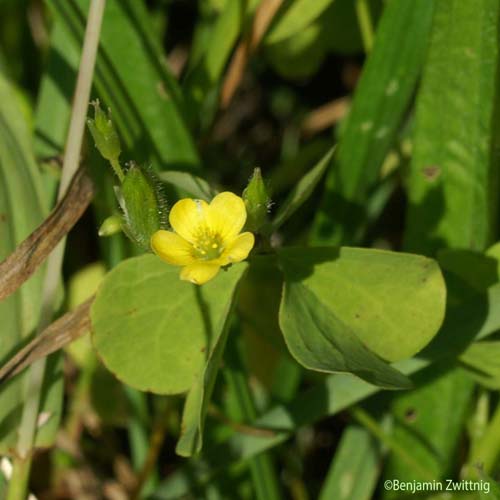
227,215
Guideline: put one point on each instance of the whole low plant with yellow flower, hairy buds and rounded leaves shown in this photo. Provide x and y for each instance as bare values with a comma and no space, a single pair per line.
158,329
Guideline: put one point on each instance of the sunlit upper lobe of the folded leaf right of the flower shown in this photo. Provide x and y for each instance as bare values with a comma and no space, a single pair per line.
393,302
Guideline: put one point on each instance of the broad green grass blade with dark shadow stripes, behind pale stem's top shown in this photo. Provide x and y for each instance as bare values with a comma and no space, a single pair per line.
131,79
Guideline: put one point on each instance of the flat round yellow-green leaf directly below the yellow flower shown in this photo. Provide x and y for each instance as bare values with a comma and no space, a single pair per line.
154,331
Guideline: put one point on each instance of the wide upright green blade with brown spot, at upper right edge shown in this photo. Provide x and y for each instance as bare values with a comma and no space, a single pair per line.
452,186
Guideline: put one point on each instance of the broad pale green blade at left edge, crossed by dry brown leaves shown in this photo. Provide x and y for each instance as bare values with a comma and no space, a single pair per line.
22,205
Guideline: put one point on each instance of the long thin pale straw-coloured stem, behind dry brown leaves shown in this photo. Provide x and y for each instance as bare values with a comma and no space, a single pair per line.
34,382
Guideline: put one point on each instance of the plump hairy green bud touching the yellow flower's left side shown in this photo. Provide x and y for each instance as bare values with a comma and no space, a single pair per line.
143,204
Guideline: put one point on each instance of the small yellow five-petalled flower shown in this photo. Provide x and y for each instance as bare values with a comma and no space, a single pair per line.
206,237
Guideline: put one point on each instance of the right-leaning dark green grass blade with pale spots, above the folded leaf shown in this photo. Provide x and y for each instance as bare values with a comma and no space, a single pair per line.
382,97
